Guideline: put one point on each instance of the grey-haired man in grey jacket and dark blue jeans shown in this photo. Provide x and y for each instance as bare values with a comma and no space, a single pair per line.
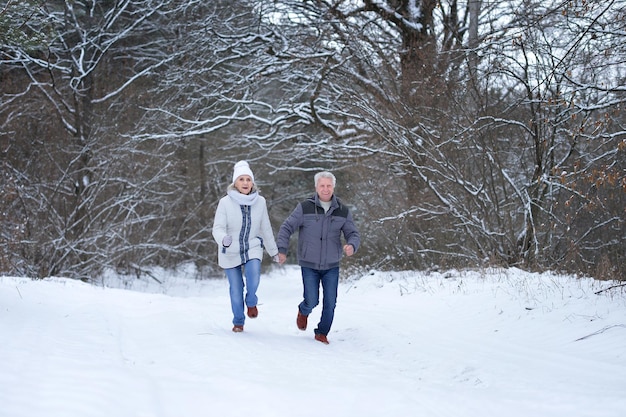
320,221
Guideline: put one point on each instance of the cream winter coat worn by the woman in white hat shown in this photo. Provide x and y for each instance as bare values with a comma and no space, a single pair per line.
246,220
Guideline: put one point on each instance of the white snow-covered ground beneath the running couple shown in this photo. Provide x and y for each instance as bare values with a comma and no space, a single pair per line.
498,342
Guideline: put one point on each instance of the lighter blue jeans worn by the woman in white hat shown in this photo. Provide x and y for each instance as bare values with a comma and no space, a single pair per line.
252,271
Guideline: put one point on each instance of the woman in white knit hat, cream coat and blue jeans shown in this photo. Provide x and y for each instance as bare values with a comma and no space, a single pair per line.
242,230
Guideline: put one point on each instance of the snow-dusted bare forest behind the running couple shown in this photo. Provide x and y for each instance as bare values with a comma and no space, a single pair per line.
462,133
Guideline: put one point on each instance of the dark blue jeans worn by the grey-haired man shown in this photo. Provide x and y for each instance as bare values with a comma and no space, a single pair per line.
311,279
